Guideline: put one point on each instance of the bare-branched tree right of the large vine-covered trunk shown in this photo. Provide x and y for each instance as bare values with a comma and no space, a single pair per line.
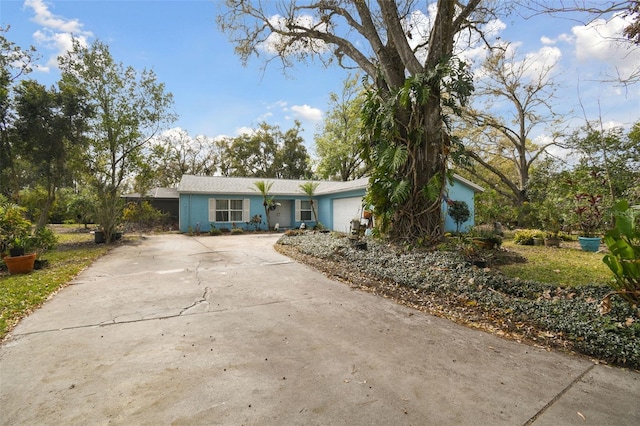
514,95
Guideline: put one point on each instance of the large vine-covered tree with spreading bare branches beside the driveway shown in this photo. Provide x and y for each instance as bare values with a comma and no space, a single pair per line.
412,74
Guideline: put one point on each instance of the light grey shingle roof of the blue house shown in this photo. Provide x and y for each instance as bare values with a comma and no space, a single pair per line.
190,184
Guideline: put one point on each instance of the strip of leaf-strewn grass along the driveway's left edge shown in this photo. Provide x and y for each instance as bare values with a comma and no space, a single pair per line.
22,294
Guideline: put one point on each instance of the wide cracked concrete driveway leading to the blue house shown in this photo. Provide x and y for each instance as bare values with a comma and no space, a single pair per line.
225,330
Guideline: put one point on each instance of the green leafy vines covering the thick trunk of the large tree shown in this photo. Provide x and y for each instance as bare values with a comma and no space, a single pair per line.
408,146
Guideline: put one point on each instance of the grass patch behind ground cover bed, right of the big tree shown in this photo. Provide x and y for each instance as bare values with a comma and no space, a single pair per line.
566,267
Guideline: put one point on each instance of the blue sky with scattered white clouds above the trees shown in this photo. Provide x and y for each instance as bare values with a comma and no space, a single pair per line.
215,95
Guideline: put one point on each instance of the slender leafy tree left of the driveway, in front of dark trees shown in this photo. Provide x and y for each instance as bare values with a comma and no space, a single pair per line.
130,109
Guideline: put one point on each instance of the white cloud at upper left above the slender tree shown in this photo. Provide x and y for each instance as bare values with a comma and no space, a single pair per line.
56,33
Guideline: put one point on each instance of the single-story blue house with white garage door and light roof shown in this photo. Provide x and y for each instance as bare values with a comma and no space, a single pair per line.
235,201
